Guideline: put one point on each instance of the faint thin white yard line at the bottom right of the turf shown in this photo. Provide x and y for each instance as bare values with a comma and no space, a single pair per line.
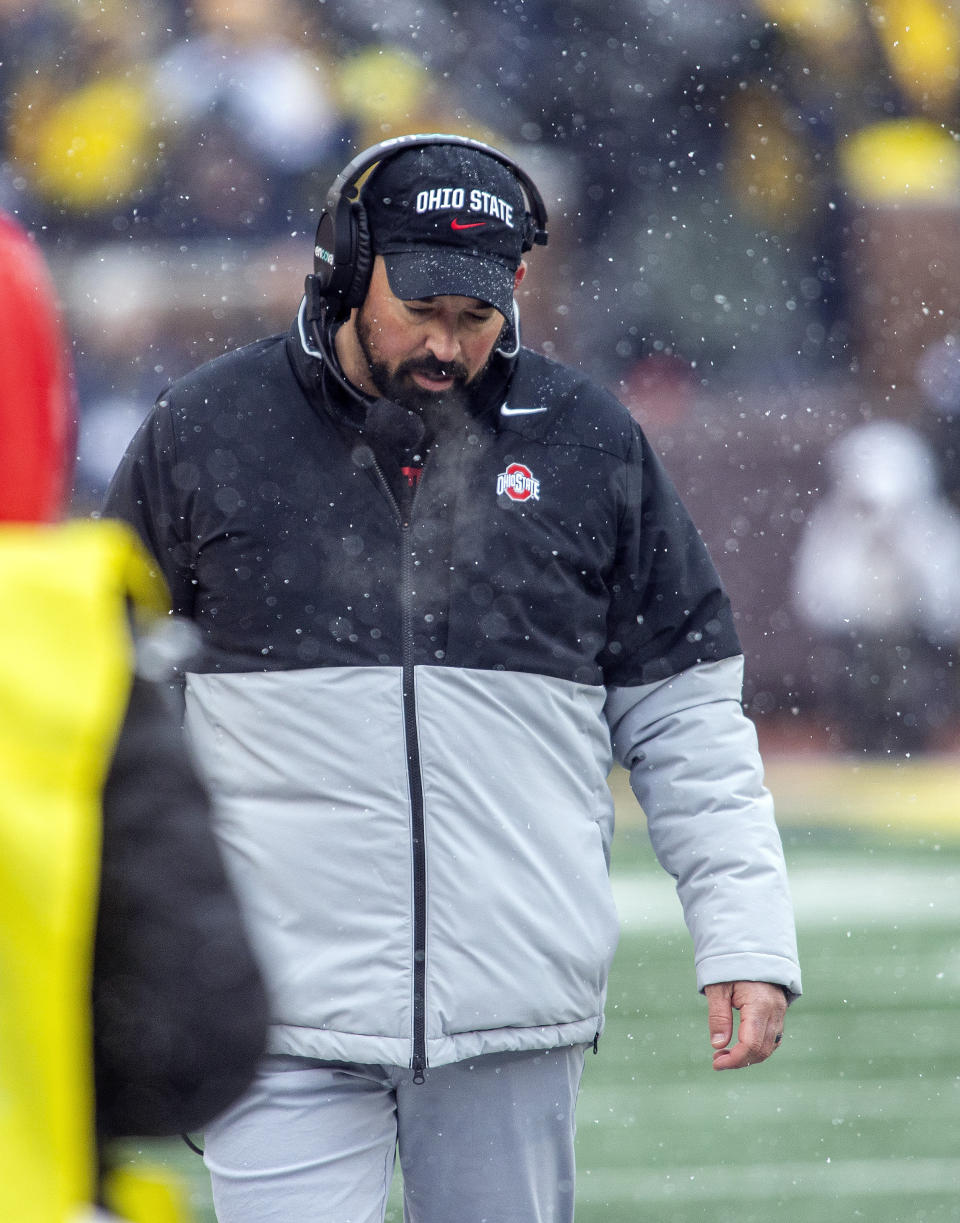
840,1178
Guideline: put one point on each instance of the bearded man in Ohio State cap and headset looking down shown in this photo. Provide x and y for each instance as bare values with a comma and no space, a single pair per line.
438,577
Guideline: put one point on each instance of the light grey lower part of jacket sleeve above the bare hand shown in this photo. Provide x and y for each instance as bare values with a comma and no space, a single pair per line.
696,771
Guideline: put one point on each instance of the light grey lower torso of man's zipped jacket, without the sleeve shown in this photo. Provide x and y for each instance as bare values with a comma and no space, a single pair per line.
520,923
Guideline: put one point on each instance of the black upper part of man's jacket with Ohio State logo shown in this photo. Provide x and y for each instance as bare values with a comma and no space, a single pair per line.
255,485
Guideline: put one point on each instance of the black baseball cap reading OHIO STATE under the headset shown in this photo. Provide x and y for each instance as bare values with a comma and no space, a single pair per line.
448,220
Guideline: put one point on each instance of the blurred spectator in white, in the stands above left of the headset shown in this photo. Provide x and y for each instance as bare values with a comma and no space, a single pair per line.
249,101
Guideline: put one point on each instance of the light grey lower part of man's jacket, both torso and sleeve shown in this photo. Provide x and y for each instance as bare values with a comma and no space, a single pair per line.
310,775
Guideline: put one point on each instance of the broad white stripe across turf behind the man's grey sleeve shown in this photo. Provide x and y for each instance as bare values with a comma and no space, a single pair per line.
824,896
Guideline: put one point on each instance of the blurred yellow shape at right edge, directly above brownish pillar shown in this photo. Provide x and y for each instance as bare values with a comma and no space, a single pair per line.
899,161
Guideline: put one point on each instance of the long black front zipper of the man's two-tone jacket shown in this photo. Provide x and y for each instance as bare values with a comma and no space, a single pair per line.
419,1061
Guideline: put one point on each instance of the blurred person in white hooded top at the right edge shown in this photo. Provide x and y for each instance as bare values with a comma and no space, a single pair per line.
877,580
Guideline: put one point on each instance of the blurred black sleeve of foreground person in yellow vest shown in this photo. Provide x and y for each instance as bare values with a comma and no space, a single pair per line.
179,1005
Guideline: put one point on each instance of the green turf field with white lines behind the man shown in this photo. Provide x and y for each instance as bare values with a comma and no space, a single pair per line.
857,1117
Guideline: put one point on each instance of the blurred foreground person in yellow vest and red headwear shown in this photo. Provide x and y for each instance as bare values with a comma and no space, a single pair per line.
130,1000
